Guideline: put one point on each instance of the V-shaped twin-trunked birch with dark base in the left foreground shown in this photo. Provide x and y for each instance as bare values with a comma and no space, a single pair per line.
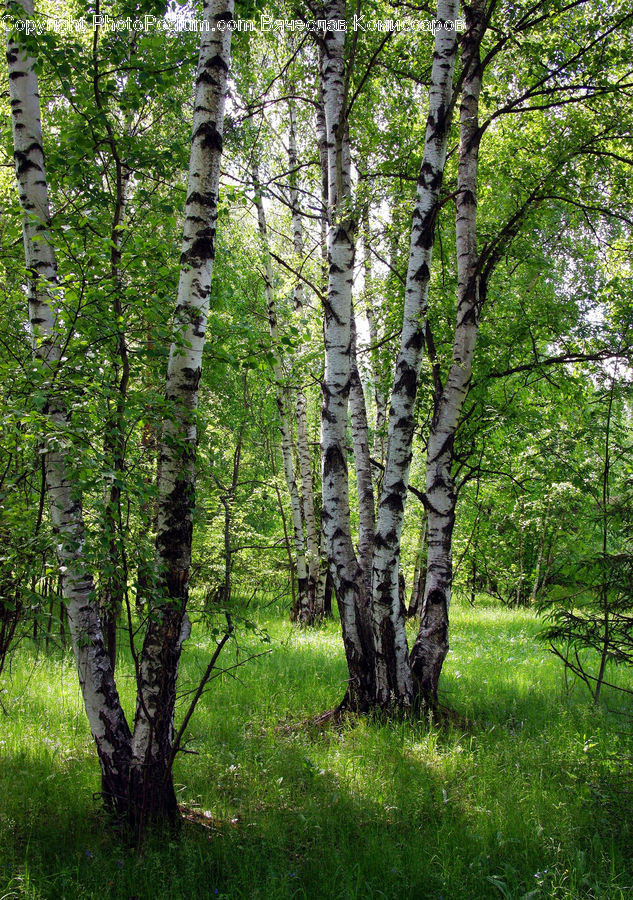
136,766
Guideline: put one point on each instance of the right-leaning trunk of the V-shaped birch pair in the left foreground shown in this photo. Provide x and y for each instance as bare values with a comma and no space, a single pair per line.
151,783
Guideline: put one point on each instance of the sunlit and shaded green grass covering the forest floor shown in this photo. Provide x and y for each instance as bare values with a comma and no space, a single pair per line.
528,797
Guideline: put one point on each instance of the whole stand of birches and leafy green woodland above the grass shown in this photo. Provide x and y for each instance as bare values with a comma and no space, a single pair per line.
464,381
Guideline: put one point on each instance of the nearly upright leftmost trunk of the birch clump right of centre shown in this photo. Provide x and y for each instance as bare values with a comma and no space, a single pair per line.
349,579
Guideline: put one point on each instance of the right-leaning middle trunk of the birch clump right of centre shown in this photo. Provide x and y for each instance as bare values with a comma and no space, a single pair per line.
394,684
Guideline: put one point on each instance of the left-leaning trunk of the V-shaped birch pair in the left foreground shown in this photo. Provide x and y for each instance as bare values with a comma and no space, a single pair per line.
105,715
